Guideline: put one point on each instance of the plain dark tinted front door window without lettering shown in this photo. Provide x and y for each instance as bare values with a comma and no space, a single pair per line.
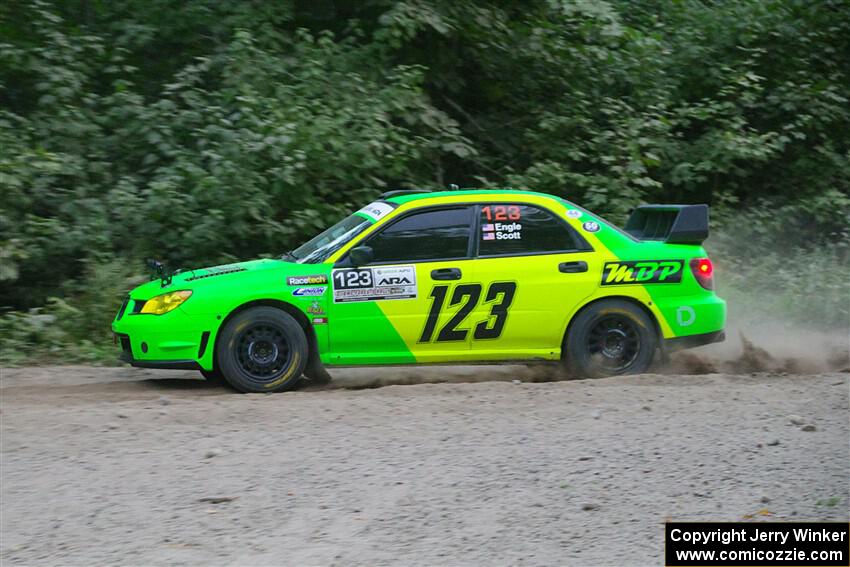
427,235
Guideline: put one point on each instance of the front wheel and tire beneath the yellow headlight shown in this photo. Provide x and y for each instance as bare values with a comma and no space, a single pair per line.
262,350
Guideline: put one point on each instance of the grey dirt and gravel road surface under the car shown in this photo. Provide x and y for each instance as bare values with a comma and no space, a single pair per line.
126,466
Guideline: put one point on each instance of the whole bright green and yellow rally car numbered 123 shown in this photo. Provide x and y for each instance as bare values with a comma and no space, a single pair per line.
421,277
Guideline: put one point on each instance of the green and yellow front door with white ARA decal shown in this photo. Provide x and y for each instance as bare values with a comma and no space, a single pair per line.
383,312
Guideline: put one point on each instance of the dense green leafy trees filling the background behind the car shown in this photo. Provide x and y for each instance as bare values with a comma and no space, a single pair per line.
199,132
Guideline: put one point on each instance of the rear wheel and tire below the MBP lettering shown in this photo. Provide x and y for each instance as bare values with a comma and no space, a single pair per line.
609,338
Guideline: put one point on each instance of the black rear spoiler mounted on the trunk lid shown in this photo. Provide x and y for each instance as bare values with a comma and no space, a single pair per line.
674,224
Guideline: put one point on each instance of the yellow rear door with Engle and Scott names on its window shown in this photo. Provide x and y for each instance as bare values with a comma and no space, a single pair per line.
534,270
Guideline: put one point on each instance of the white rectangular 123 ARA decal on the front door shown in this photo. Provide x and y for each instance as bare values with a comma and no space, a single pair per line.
374,284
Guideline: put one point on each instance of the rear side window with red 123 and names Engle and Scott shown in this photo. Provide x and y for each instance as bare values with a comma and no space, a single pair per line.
523,229
